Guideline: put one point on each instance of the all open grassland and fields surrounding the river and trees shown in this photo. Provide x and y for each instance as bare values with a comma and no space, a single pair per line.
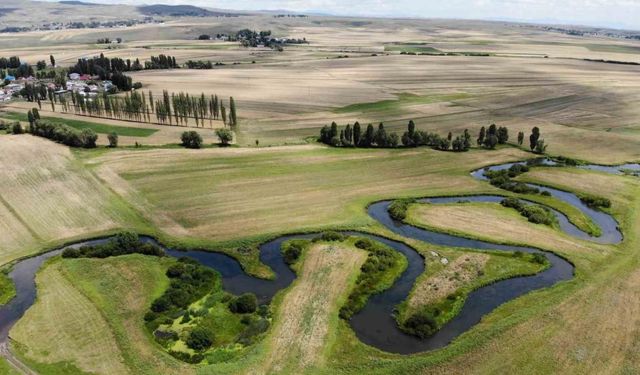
89,315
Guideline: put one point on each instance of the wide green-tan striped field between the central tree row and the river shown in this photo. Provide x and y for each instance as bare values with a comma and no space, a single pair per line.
236,193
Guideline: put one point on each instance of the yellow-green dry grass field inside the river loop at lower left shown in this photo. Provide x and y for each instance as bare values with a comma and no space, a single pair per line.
65,326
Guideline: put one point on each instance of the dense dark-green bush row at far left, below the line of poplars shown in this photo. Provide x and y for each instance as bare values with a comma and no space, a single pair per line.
64,134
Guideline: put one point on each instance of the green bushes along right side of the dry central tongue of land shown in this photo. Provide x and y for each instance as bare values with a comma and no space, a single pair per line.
374,275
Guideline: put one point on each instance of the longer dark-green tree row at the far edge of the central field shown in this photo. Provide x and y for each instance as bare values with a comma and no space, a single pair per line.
355,137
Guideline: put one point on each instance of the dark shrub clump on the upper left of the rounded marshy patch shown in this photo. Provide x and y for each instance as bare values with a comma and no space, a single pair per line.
190,281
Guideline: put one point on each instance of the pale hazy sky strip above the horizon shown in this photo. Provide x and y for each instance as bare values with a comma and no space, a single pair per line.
610,13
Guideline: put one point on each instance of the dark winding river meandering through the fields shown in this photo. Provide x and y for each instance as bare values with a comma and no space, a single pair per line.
374,324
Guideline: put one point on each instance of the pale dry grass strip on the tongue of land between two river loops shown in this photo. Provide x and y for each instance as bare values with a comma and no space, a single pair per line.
303,329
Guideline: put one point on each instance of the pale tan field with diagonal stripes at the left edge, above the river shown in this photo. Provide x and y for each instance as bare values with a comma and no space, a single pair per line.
46,196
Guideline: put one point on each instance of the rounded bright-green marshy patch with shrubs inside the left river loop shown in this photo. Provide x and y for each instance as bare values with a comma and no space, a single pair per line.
195,319
